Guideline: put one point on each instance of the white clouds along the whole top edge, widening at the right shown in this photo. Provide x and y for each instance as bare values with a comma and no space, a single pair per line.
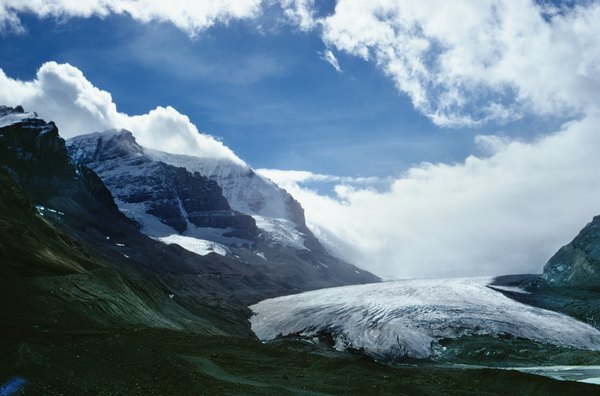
462,63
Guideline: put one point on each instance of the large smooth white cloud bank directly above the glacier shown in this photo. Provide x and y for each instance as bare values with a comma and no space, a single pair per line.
505,213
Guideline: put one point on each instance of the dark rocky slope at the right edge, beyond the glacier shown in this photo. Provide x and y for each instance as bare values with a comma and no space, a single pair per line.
578,263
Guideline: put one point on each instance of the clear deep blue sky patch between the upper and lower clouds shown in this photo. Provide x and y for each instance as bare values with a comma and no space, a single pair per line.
266,92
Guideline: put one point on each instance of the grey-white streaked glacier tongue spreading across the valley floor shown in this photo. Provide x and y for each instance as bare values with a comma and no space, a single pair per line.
407,318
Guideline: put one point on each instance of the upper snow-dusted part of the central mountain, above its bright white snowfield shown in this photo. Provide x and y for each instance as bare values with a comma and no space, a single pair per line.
167,186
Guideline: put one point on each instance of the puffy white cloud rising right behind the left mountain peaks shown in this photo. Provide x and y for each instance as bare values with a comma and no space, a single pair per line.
60,92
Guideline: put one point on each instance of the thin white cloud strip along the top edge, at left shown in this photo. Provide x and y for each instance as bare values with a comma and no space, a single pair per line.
189,15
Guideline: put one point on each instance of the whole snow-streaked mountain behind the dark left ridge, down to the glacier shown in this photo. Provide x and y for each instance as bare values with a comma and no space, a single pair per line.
207,205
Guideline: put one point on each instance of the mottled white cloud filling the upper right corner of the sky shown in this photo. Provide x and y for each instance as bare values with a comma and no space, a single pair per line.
467,63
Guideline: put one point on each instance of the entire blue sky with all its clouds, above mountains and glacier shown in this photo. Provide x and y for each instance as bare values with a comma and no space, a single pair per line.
478,120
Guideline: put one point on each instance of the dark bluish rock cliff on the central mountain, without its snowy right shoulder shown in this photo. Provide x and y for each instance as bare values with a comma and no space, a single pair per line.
177,197
